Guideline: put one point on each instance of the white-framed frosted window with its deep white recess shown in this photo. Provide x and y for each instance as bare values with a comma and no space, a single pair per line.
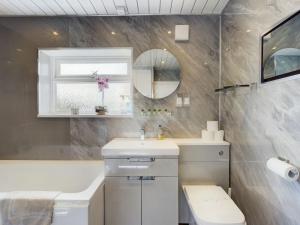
68,82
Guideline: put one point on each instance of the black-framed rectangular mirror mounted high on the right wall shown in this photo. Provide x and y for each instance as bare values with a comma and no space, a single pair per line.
281,50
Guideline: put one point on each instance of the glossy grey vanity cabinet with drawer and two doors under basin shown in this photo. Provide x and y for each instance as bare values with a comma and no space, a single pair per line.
137,192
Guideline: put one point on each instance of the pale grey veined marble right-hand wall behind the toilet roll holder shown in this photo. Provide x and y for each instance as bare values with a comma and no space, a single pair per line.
261,122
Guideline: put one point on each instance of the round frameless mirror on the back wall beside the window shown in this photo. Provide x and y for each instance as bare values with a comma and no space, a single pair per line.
156,73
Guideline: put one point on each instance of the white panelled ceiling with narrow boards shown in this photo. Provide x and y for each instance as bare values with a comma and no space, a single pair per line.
109,7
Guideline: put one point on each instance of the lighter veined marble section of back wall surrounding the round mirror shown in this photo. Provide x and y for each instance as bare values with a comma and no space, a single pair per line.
198,58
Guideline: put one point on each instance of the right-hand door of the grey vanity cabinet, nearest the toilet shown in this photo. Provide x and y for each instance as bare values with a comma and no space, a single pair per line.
160,201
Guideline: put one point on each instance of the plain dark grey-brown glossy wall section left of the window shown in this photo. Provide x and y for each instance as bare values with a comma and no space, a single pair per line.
22,135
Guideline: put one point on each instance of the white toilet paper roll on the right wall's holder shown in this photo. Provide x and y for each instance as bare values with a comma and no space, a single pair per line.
283,169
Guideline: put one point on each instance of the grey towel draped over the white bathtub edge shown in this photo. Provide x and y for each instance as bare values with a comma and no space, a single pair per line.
27,208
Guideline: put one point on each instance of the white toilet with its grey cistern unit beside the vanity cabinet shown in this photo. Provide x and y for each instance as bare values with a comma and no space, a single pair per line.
204,178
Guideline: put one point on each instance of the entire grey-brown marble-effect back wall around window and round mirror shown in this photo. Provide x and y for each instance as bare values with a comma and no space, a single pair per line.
23,136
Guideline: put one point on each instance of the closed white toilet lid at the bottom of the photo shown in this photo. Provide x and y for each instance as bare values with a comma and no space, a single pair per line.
211,205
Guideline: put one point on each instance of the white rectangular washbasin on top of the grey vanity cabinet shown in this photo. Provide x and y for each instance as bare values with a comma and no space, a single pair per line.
135,147
